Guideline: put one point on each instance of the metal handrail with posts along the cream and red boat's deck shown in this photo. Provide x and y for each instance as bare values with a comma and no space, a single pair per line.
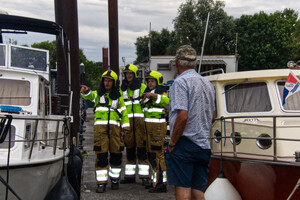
274,138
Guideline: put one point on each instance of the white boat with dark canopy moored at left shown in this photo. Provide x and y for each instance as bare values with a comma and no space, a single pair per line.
33,141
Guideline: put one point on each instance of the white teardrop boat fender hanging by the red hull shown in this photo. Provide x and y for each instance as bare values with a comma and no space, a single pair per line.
221,188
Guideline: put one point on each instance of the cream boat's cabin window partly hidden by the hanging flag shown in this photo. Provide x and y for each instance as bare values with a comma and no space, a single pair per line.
291,103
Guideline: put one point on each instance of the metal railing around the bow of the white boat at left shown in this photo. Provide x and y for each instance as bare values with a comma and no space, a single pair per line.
64,137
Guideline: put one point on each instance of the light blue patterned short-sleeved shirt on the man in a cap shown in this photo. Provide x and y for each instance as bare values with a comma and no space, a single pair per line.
195,94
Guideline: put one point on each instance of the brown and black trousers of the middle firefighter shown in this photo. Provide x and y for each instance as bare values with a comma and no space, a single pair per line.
135,142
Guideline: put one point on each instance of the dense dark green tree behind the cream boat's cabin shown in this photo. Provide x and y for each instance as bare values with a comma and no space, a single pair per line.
266,41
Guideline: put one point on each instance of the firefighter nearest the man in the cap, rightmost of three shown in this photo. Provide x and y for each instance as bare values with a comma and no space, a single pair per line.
155,101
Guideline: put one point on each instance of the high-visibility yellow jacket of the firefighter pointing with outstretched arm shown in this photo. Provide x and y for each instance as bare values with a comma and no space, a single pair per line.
104,105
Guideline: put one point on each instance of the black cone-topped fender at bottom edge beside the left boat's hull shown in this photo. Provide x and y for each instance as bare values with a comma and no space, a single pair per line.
62,191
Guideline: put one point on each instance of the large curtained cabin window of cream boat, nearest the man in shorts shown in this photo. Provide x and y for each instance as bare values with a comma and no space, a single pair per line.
247,97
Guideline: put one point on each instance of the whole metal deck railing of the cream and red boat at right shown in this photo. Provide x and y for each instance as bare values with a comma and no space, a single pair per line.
274,138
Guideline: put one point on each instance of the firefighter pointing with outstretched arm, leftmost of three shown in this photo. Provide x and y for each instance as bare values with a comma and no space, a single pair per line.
111,123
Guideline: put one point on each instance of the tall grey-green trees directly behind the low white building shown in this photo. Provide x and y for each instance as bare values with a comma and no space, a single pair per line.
189,28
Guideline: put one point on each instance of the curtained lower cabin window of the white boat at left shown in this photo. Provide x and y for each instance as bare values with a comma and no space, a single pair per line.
15,92
